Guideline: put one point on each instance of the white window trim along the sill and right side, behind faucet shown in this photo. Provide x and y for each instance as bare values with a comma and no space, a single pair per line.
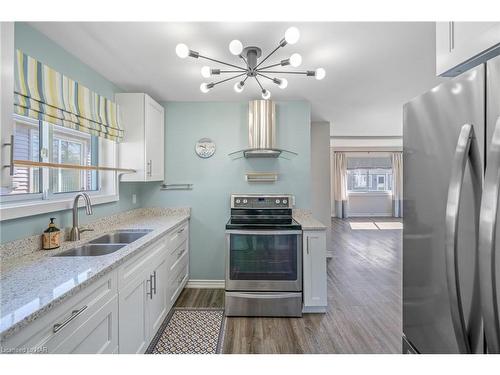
108,156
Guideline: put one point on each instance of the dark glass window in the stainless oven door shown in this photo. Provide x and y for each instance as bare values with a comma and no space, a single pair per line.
263,257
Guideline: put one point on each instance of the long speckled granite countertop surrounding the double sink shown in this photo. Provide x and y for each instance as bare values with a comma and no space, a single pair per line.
33,282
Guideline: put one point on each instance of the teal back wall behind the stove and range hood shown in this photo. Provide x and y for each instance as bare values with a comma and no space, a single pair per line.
214,179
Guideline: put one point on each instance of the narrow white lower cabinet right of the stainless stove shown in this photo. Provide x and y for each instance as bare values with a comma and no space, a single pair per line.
314,271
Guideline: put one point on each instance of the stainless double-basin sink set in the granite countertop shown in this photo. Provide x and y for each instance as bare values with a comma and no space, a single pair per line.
106,244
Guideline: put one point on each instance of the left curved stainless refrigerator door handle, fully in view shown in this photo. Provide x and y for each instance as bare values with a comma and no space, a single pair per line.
467,149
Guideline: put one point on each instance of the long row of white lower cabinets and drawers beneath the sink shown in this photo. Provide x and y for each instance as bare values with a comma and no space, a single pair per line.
119,313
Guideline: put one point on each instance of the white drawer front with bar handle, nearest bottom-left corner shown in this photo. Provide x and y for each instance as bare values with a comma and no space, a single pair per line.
49,331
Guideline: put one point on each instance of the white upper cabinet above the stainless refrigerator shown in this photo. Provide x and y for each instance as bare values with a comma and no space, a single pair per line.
462,45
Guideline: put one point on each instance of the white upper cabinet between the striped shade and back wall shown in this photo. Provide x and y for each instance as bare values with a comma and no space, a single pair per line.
143,146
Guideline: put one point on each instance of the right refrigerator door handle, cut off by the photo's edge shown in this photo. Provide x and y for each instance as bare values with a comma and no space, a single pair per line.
487,245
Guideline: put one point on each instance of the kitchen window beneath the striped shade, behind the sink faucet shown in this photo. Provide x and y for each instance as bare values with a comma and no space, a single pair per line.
45,142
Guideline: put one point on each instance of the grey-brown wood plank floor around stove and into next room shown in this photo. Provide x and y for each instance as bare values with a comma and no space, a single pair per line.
364,302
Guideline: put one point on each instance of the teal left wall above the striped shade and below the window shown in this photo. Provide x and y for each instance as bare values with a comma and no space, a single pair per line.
40,47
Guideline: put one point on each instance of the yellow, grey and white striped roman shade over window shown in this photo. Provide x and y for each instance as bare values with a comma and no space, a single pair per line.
44,94
